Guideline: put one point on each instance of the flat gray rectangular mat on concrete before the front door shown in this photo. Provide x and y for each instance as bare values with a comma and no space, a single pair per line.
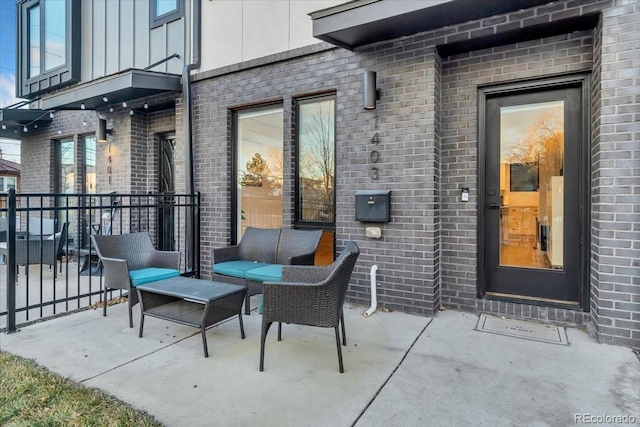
519,329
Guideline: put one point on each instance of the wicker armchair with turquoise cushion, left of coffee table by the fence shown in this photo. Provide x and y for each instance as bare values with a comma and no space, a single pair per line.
125,256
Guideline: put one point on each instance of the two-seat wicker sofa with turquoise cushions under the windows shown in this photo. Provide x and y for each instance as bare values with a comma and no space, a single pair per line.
260,255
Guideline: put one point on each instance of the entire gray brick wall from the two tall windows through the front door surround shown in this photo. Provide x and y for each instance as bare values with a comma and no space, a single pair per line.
427,125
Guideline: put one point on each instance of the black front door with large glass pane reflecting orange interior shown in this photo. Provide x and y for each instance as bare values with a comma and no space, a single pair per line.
532,200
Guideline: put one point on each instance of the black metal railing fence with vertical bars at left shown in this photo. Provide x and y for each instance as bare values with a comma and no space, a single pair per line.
50,265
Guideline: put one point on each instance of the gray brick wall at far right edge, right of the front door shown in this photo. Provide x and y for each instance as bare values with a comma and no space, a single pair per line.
615,246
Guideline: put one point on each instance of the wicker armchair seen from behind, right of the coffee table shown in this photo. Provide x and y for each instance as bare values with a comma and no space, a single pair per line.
311,296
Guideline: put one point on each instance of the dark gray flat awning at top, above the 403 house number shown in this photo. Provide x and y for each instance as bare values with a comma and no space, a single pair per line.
362,22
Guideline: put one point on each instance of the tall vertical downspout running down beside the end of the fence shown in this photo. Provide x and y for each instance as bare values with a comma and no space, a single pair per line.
188,119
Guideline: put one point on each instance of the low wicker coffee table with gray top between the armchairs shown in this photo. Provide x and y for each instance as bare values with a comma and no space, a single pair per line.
192,302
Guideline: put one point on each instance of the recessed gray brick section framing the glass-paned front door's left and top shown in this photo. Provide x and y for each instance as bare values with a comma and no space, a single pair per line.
462,74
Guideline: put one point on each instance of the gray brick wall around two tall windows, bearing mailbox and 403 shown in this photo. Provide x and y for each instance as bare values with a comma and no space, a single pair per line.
407,121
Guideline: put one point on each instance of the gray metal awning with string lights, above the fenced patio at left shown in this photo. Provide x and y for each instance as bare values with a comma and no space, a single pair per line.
124,86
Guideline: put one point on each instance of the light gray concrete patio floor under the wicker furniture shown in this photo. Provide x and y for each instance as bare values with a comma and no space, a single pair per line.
400,370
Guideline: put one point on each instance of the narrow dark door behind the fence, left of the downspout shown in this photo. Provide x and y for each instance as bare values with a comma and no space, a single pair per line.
166,211
